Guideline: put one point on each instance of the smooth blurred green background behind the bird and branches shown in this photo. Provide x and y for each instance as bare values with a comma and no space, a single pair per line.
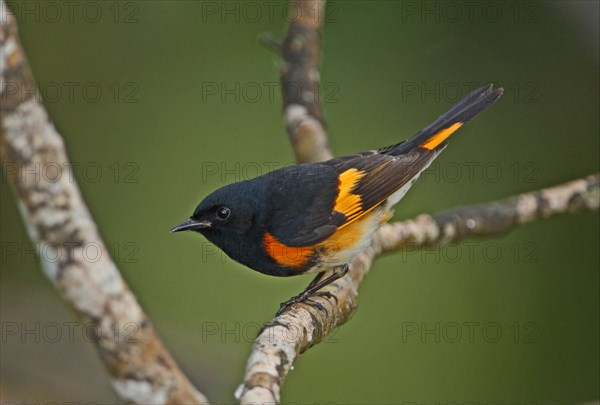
160,137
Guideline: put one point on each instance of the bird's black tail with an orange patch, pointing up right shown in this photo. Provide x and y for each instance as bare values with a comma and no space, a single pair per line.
433,137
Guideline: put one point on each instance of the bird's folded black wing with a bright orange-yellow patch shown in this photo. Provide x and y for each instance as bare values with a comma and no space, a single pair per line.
330,195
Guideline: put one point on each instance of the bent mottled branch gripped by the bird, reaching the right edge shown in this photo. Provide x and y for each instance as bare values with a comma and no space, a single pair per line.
304,325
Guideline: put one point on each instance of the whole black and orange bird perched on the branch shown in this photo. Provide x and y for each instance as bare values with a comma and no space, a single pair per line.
315,217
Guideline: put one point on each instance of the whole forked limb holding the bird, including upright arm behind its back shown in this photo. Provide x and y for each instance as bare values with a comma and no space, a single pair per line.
302,325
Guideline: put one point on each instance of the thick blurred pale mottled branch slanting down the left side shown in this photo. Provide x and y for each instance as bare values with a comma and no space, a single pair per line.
60,225
